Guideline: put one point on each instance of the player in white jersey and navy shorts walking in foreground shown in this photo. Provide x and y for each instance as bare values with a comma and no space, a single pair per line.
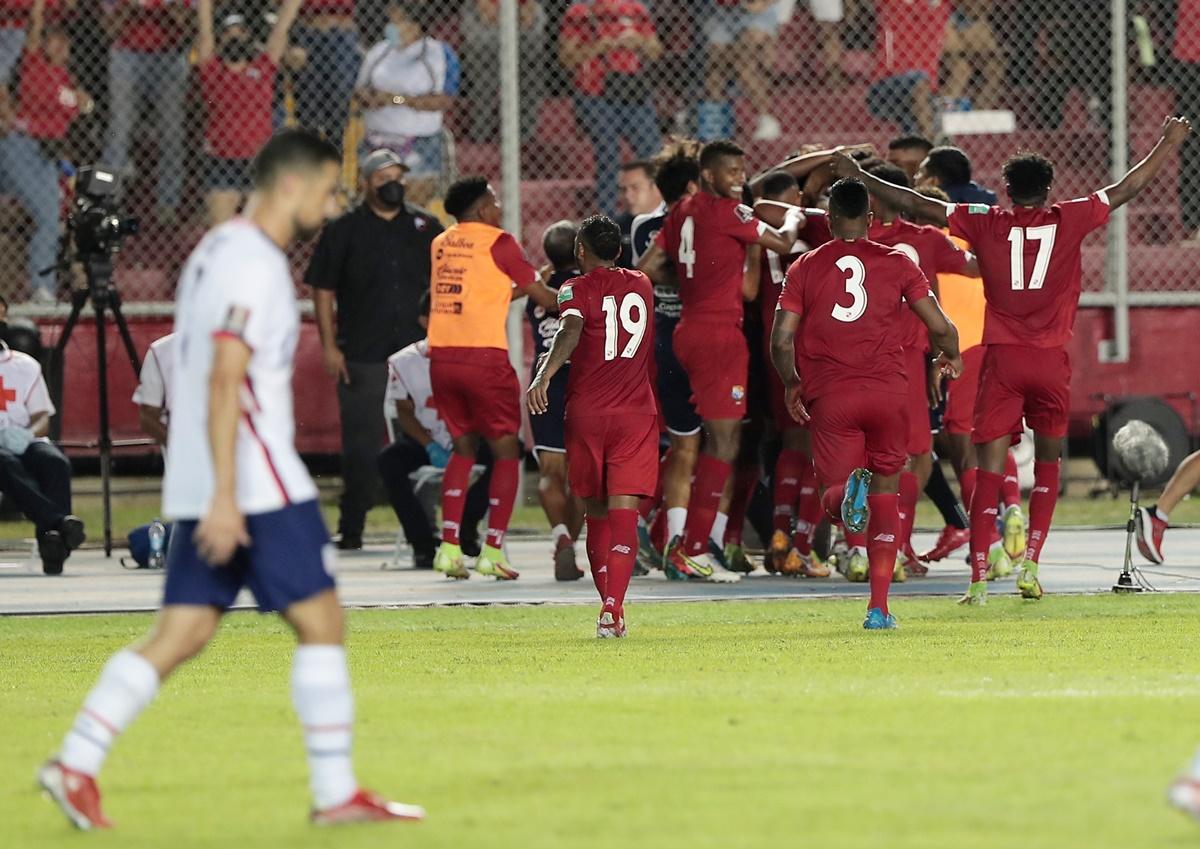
245,508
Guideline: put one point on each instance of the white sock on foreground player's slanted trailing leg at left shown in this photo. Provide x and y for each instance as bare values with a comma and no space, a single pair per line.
125,688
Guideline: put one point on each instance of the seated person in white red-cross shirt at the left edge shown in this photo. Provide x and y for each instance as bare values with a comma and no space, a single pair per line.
34,474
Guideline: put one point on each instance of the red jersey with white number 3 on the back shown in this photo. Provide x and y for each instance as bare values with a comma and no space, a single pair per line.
850,297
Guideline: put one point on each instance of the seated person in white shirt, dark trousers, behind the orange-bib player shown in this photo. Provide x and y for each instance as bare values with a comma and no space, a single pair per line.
423,441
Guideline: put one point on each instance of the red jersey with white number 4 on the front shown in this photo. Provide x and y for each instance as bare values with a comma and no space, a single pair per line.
706,238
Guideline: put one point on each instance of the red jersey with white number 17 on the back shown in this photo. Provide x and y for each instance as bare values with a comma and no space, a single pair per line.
1031,266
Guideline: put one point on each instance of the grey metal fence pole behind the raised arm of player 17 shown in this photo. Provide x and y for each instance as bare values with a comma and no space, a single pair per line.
1118,250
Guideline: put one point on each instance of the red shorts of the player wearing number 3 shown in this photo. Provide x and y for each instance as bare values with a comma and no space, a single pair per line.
859,429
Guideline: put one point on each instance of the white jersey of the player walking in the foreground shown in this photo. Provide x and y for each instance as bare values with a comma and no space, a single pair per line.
236,284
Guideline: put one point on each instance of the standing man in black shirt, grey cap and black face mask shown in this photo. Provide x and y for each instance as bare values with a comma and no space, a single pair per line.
375,262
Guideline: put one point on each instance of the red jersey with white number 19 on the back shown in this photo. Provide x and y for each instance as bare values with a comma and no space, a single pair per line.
610,368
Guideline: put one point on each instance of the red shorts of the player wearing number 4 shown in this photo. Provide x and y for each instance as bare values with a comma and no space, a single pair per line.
718,363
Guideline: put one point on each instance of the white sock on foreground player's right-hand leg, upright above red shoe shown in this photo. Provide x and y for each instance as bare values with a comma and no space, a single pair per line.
321,693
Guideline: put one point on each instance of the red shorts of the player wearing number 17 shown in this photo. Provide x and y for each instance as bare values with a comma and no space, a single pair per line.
1016,382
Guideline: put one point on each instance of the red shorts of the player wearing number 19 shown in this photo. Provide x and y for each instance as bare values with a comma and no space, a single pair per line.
614,455
